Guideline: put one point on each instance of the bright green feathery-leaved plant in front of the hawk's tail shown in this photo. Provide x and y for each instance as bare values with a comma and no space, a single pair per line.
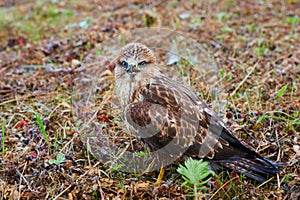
195,172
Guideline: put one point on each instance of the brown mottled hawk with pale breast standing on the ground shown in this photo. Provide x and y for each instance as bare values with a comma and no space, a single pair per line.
162,111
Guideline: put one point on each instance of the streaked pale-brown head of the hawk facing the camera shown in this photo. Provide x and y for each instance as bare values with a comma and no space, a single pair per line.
133,59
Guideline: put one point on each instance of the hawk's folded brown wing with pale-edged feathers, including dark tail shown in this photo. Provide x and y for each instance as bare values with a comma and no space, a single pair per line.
171,112
